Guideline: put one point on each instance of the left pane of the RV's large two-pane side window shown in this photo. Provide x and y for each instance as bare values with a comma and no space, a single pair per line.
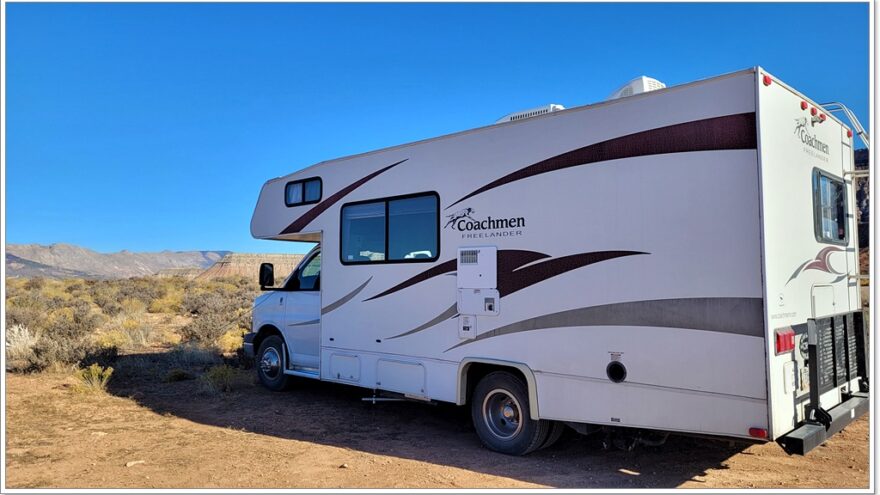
363,232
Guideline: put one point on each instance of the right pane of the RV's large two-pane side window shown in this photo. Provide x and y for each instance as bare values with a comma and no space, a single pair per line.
412,228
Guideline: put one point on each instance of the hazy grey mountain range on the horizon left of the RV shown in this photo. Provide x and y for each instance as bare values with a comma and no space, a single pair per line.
67,260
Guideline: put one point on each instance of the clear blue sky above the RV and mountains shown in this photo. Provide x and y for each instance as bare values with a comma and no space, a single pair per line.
153,126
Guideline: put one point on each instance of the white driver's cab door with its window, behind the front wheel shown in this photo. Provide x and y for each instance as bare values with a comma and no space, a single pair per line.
303,315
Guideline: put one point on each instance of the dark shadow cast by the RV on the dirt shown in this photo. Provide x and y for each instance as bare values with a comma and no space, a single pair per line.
336,415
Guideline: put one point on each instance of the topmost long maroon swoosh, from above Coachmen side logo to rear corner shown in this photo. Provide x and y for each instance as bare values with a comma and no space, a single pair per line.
731,132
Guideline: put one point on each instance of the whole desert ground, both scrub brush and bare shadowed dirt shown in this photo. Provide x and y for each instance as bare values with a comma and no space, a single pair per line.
182,409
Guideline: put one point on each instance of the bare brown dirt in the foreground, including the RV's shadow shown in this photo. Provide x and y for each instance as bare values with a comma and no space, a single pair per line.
323,435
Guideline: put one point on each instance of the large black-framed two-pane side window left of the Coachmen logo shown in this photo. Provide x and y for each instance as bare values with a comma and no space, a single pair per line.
398,230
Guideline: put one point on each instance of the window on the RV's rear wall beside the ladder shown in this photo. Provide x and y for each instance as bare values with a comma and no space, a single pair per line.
829,209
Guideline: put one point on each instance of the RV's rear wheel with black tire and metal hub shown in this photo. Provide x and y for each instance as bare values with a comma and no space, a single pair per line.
500,411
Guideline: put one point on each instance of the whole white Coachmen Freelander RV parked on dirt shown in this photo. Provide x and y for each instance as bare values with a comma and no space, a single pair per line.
679,260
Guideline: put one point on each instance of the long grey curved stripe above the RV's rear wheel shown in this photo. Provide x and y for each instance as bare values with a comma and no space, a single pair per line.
736,315
